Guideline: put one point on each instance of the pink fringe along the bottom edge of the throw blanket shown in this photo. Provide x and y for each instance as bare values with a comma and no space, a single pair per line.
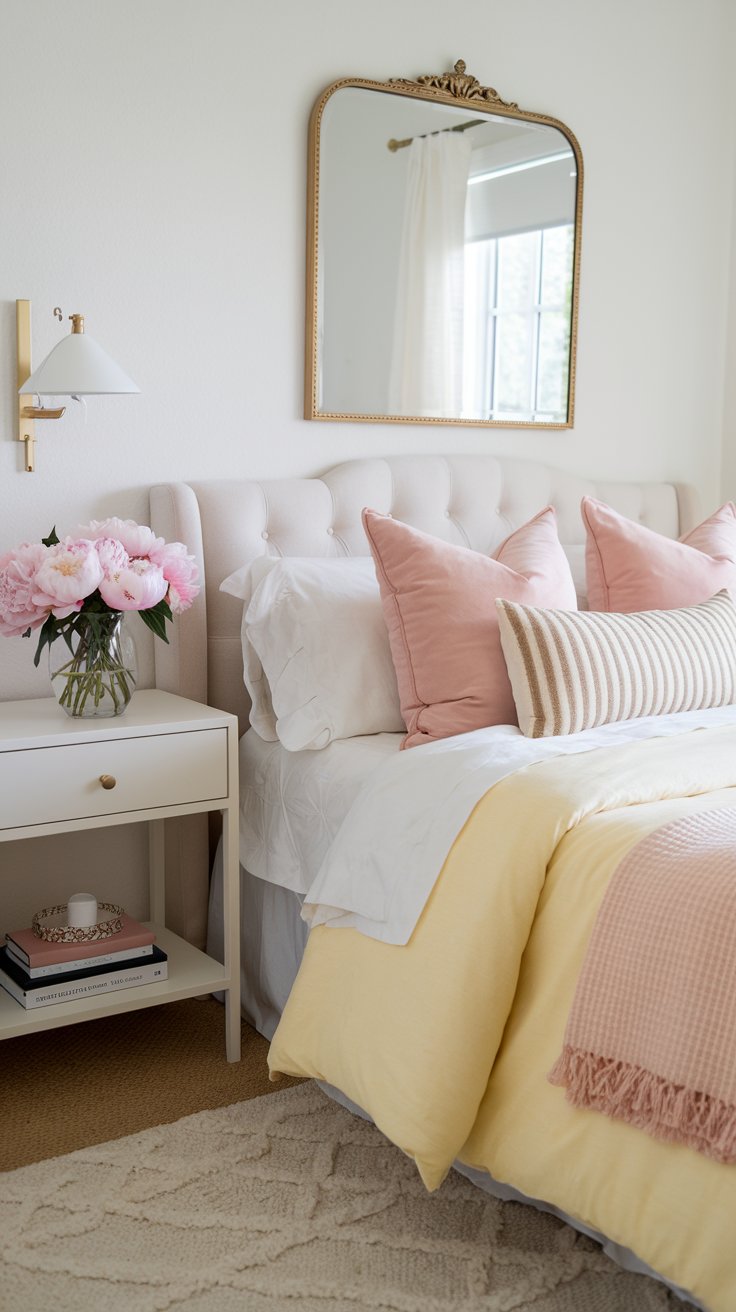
645,1100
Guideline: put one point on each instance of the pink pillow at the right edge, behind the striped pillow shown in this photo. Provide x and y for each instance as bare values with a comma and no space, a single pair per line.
630,567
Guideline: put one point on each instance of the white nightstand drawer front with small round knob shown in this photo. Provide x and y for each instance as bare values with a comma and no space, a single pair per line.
53,784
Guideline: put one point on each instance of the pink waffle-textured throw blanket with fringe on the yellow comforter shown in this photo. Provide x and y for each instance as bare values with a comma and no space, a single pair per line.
651,1037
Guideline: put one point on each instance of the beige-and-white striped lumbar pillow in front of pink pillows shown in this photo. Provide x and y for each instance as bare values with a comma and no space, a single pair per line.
571,671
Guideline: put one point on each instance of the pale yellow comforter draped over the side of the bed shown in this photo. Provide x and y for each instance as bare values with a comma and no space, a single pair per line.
447,1042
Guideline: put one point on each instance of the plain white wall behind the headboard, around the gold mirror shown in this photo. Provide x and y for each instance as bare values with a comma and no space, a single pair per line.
154,178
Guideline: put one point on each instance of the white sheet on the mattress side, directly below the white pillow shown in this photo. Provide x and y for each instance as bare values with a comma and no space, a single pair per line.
293,804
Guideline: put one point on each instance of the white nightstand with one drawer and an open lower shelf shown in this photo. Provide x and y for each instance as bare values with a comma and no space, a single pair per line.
169,758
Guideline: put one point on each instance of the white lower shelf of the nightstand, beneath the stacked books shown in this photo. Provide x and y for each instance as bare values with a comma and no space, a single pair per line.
190,973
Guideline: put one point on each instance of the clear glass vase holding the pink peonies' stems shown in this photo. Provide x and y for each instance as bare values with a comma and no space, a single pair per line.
94,668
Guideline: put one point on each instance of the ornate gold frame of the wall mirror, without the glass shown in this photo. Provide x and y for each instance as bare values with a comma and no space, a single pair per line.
452,89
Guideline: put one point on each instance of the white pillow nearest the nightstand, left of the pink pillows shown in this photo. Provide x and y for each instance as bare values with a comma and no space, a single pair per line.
317,629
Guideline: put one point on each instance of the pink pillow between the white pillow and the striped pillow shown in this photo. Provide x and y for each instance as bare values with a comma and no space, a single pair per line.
440,608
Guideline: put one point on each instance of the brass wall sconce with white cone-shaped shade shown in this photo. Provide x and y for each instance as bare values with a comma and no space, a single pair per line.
77,367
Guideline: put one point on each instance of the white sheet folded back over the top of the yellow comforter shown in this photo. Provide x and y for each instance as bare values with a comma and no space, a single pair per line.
393,843
